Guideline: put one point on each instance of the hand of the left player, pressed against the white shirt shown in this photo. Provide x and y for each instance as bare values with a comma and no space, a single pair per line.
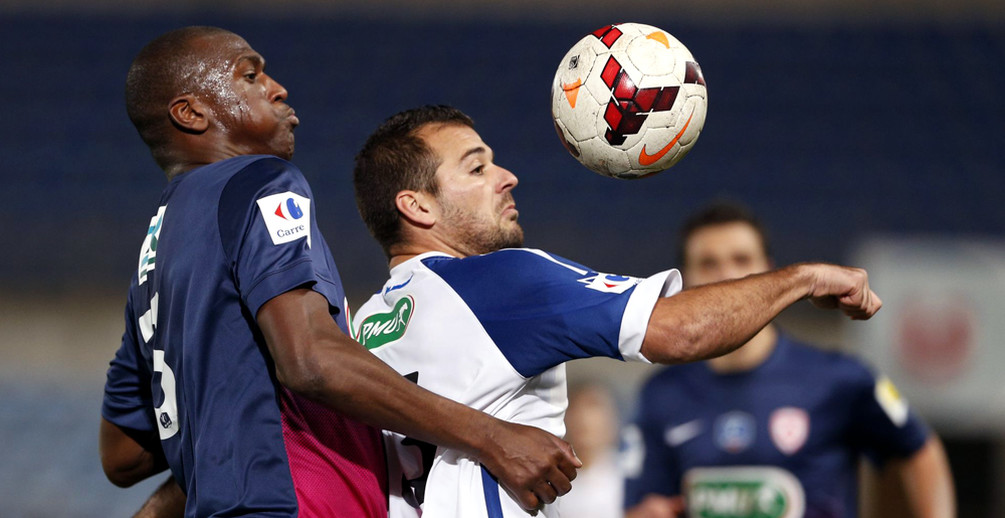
534,466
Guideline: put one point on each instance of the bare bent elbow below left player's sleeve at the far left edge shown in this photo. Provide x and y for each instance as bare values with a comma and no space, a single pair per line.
125,460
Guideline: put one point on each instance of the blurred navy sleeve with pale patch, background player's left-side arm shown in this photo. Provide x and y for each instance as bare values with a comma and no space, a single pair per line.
653,468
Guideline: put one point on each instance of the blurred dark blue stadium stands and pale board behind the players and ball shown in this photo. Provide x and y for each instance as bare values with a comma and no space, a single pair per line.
865,131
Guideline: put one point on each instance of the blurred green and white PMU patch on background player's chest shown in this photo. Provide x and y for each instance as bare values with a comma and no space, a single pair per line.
744,492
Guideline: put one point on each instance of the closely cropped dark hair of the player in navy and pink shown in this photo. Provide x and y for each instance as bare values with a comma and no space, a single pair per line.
162,71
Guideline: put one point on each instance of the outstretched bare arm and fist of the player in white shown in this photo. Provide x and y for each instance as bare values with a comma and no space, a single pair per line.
712,320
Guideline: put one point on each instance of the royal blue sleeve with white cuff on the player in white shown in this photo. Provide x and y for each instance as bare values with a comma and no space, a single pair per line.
542,311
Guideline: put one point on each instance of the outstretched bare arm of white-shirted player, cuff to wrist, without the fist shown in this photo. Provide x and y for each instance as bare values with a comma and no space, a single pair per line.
712,320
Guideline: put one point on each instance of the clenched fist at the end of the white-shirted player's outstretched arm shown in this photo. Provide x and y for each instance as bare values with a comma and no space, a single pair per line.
844,288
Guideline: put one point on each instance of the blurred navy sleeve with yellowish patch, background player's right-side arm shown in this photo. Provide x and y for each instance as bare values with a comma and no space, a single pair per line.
883,424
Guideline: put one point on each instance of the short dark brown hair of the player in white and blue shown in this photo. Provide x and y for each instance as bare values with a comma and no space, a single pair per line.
393,159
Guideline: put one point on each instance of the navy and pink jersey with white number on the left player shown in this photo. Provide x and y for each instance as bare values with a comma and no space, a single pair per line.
194,368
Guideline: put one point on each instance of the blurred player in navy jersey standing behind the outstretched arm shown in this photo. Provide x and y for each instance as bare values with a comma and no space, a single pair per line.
775,428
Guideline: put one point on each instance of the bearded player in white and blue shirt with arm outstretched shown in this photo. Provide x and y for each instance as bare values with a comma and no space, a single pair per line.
494,330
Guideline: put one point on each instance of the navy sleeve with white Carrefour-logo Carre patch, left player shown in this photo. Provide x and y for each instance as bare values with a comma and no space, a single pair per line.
270,235
